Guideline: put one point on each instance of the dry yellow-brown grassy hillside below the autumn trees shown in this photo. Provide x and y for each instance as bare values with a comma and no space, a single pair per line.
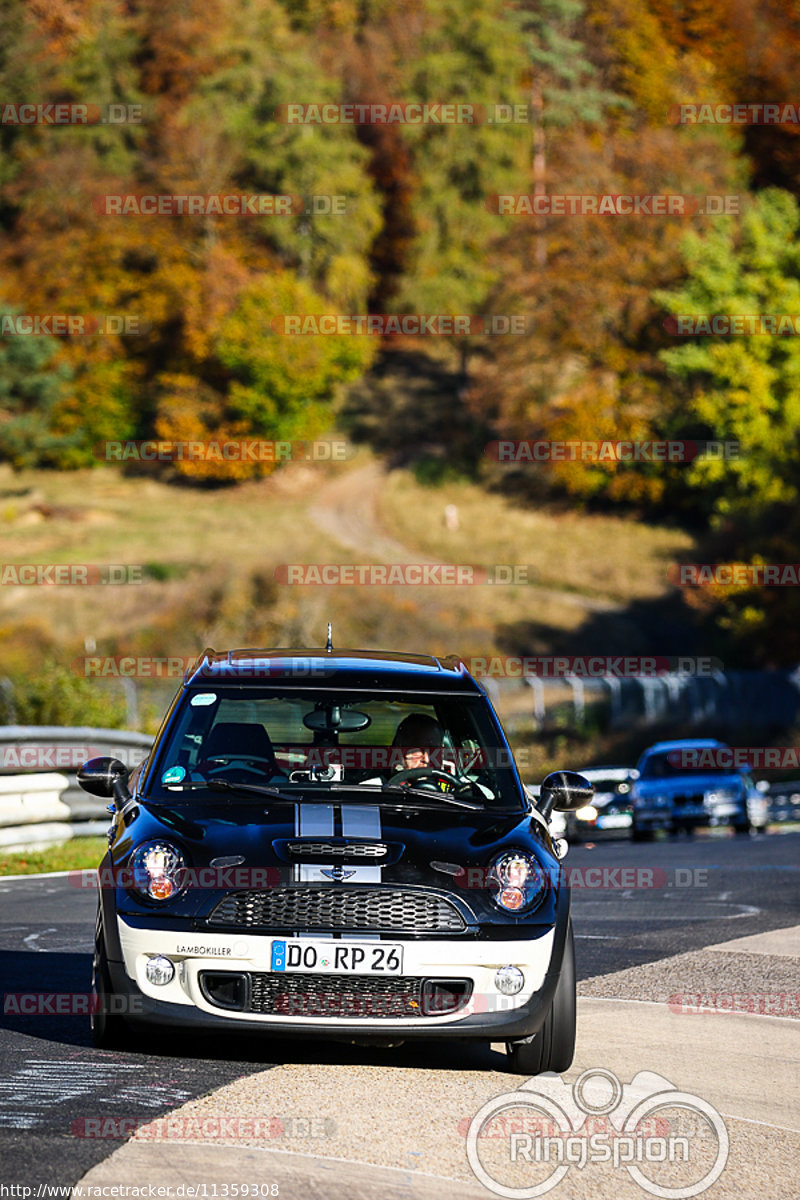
208,561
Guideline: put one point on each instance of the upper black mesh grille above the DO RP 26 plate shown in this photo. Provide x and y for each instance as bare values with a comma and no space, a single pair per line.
332,909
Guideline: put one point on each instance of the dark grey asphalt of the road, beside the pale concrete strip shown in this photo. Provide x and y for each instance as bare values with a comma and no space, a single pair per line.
633,904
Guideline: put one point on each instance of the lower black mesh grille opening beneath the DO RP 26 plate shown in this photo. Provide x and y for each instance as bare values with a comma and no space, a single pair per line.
347,998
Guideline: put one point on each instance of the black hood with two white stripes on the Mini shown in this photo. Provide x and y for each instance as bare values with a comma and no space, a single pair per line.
232,845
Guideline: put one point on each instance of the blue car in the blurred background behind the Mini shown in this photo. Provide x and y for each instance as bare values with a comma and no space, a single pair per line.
681,788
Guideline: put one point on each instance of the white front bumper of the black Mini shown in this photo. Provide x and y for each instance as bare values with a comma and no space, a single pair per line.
488,1013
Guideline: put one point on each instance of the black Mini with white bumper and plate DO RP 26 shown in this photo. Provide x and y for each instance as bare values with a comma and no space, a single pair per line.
335,844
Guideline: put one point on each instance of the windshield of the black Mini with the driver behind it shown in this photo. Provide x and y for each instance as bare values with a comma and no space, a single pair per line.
362,746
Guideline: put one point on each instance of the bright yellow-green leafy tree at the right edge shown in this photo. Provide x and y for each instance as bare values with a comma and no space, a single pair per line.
744,388
